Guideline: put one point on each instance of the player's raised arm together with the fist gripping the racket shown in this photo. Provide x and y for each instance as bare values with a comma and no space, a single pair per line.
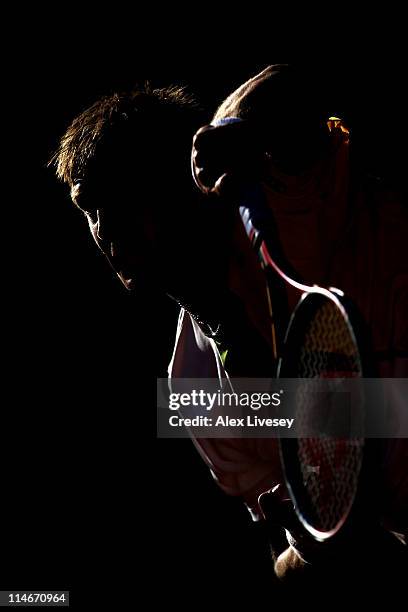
283,112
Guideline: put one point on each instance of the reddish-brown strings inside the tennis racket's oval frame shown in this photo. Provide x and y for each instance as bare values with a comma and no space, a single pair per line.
330,466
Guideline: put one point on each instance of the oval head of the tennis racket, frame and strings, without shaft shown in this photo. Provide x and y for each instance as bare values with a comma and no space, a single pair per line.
322,473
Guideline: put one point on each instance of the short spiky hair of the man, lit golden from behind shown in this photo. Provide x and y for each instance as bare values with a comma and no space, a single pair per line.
122,131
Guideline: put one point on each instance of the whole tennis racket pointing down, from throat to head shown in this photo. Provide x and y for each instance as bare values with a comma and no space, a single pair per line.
320,342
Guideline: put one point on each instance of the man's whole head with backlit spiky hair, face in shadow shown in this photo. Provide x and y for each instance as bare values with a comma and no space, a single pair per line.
126,160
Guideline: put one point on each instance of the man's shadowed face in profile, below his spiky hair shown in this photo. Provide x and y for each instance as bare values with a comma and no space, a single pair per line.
158,232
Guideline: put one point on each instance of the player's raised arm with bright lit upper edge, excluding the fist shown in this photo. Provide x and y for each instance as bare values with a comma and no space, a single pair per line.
288,107
